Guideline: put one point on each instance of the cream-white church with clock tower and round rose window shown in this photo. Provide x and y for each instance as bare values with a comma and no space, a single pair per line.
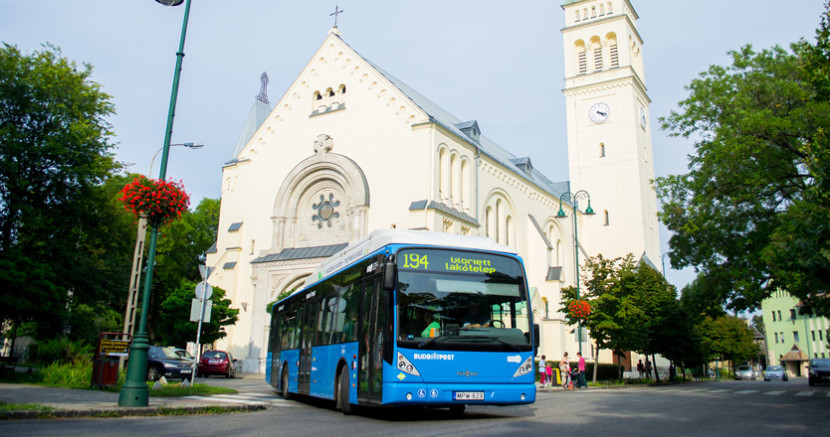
314,173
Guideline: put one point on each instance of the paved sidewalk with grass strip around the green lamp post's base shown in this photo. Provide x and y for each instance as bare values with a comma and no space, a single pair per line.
87,403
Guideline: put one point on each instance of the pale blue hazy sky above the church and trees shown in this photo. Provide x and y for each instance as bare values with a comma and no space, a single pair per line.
497,62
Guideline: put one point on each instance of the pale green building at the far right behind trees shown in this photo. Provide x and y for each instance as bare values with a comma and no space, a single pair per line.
793,338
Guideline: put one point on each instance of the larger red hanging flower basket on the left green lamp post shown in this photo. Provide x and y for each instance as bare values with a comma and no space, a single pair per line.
159,201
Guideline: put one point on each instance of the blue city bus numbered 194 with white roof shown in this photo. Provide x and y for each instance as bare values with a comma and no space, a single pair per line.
409,319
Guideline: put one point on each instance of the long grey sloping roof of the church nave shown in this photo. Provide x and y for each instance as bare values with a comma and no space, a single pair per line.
488,147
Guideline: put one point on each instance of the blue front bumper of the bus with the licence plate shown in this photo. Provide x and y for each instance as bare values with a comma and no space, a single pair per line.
446,394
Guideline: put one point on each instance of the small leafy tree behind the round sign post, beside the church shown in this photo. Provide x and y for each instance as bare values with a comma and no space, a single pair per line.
175,328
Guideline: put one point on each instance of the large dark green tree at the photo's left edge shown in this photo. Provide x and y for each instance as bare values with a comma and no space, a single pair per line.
55,154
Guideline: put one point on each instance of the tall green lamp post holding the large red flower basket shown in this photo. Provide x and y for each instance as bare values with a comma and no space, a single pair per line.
134,392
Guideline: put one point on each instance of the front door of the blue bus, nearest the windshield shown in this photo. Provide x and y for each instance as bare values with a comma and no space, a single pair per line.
373,328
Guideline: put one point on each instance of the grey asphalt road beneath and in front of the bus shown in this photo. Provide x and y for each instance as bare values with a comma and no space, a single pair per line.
736,408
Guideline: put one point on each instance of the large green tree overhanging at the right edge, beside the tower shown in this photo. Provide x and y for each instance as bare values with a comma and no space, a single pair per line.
753,212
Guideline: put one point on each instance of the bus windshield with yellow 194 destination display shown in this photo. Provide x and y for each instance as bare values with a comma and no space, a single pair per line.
451,299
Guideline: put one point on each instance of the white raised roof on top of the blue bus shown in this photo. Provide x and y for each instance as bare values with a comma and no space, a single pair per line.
384,237
